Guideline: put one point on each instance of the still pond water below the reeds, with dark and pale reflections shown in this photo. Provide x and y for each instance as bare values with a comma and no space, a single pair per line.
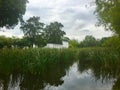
81,75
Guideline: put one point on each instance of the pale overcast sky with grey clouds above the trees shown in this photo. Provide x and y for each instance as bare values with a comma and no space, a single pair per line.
77,16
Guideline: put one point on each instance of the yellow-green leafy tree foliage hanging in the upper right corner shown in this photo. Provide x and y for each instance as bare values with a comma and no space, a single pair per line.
108,14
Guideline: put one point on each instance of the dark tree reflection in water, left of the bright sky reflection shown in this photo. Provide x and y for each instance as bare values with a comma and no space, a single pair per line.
52,75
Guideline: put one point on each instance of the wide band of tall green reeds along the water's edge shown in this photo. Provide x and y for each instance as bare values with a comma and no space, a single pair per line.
37,60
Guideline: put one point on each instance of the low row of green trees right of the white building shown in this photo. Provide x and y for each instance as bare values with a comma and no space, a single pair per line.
90,41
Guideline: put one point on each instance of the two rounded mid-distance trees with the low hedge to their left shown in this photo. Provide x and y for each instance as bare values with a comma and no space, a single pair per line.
36,33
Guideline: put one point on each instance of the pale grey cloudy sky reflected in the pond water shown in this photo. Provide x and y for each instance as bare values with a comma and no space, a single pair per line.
80,81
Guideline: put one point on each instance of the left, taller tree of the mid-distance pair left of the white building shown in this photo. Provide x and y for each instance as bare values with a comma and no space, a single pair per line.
31,28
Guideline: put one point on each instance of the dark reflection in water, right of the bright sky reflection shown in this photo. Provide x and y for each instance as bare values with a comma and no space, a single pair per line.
103,68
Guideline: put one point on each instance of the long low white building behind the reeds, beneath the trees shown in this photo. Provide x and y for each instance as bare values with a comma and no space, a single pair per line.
63,45
